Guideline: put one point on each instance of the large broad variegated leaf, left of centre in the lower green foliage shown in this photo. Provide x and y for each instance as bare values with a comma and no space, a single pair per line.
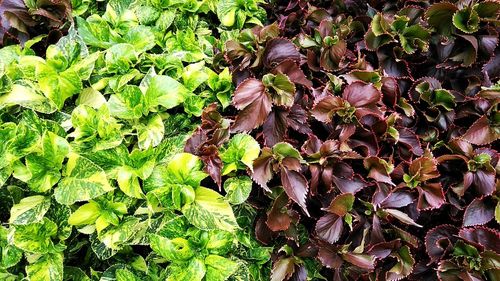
84,181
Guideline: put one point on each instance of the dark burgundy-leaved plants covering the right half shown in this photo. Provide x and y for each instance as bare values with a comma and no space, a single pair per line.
378,125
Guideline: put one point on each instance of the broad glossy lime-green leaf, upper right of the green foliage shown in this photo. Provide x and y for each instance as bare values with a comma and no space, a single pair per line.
165,91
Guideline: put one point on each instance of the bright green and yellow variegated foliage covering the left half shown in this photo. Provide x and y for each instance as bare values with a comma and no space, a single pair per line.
94,181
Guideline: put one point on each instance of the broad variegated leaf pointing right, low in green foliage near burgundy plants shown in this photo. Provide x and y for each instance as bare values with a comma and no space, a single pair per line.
210,211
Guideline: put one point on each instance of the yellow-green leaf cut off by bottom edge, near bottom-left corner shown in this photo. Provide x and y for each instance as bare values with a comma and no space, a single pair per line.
48,268
